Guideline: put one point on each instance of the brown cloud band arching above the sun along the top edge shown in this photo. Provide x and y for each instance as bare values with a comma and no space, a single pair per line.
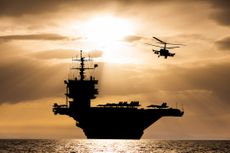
147,13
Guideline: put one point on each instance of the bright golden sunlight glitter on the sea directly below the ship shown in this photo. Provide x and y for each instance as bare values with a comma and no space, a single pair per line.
109,146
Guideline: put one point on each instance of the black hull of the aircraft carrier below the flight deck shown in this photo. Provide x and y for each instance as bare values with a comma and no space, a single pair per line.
119,123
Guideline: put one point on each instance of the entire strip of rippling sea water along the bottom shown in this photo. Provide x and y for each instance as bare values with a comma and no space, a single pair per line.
110,146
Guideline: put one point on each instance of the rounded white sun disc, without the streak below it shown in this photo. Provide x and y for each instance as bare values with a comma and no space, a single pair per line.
107,29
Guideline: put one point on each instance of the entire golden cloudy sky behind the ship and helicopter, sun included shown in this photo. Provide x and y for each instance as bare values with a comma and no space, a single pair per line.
38,38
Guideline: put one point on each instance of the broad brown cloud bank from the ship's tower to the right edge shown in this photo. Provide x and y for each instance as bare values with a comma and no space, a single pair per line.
209,79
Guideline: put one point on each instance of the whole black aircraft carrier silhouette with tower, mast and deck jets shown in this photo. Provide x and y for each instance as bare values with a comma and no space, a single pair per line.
122,120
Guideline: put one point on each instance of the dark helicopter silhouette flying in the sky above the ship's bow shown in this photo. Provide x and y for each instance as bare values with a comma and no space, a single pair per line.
164,50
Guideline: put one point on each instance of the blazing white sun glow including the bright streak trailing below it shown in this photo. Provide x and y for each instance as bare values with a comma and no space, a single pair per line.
106,33
